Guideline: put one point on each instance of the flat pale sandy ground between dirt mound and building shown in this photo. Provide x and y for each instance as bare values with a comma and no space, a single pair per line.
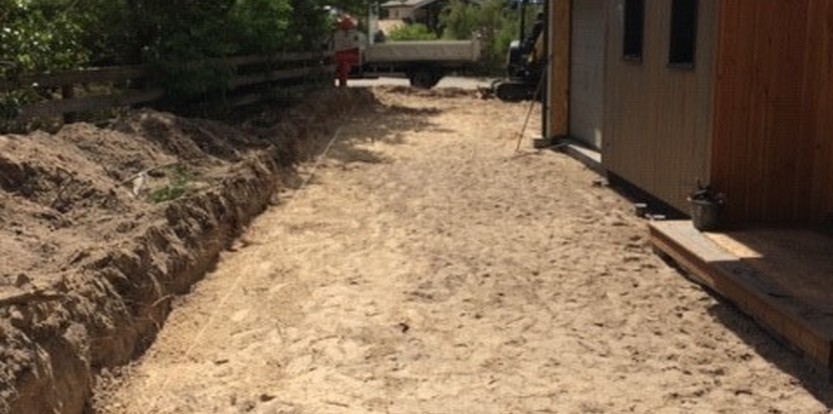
428,268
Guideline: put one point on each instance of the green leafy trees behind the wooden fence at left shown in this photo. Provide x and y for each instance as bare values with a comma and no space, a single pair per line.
178,37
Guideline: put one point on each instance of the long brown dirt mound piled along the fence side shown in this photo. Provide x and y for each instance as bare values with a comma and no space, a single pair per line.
101,228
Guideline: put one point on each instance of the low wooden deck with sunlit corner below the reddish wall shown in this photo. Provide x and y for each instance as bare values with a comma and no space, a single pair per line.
783,278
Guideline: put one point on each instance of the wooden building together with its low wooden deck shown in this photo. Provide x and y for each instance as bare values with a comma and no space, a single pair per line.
737,94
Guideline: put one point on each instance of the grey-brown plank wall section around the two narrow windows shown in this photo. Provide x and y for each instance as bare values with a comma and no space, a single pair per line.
658,117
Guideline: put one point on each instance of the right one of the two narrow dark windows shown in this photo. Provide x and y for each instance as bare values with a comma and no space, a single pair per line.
683,33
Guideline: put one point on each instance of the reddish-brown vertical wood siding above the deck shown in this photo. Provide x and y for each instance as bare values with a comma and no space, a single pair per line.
773,142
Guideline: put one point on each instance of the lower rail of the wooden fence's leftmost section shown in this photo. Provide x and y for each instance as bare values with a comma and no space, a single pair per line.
88,103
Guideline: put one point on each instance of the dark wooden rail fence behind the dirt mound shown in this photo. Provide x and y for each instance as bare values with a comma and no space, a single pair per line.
248,71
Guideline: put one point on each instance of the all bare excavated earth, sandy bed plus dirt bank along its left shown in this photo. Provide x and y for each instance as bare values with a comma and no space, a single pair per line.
428,268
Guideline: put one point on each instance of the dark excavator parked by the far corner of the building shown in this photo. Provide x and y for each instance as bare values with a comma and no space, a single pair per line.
524,62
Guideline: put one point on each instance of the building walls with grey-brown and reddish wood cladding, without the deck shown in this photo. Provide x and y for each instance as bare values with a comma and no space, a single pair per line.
737,94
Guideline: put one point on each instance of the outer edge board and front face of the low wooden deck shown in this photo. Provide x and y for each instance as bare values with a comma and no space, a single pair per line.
788,316
